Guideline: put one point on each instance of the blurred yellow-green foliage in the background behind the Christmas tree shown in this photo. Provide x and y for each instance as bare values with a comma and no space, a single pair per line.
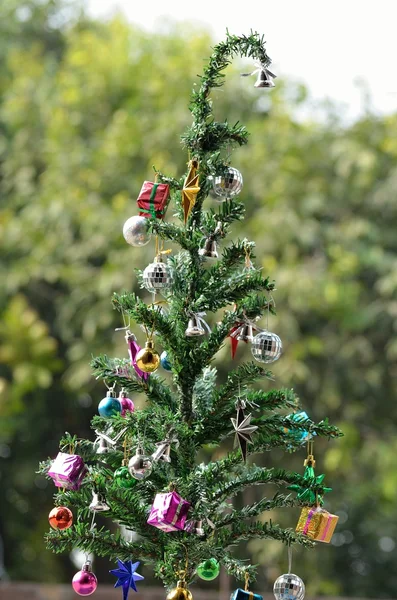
86,109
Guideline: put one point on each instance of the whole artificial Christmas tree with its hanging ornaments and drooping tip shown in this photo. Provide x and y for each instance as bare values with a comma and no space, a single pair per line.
144,474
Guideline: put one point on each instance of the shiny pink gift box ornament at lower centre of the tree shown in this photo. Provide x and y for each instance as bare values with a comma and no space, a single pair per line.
169,512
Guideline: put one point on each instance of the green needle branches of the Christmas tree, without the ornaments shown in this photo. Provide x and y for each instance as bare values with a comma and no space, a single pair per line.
193,406
